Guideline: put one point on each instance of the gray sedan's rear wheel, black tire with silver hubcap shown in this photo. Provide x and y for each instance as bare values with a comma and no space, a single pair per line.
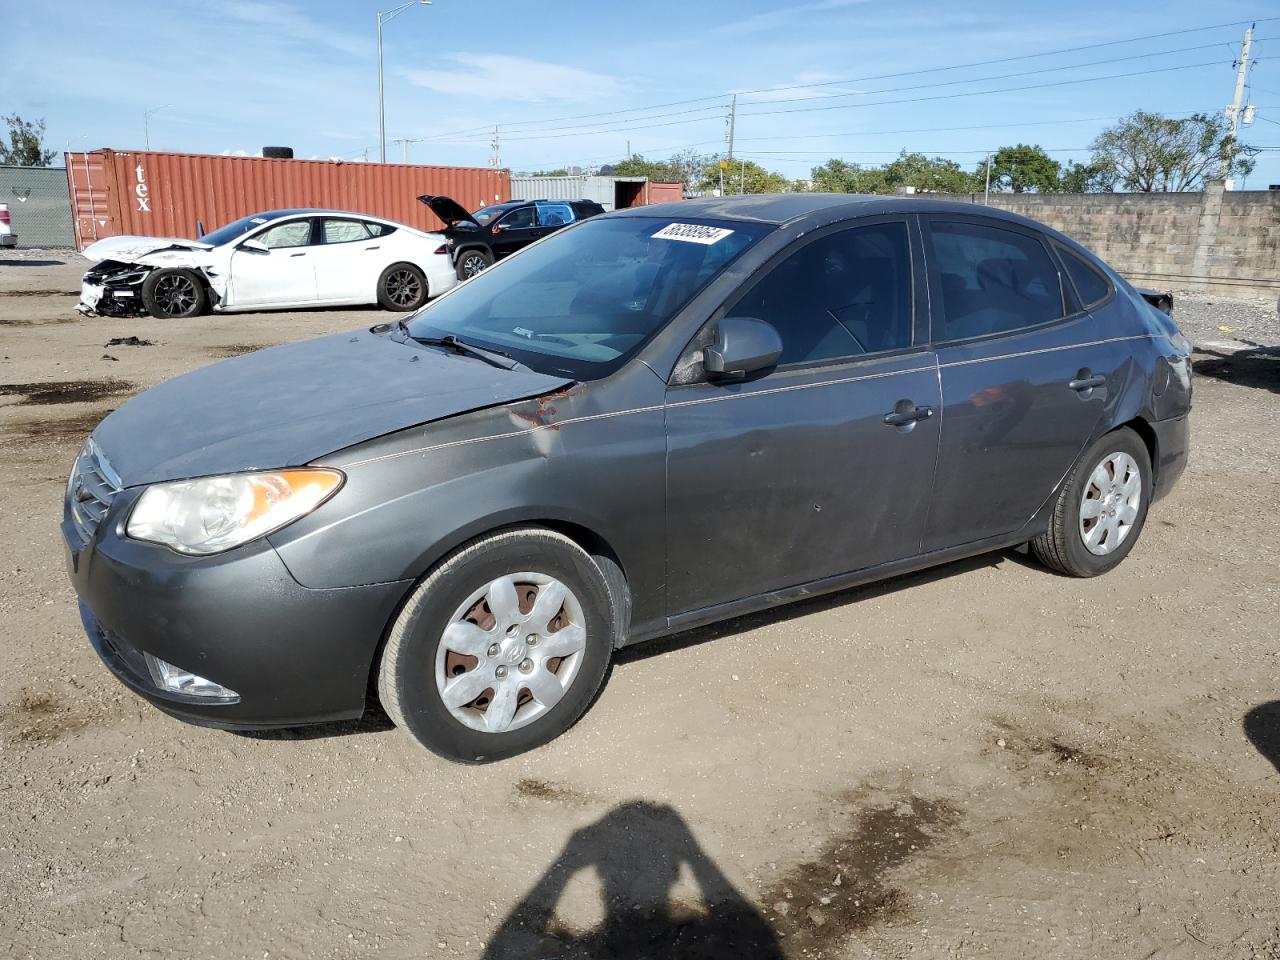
1067,546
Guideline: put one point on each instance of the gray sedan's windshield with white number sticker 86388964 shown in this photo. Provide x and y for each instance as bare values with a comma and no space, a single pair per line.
583,301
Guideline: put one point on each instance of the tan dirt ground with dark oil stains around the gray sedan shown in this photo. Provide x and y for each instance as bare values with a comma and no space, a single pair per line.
979,761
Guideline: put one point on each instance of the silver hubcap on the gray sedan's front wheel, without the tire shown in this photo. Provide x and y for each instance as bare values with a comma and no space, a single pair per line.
510,652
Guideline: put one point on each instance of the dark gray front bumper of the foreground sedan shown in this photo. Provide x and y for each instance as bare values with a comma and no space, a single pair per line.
294,655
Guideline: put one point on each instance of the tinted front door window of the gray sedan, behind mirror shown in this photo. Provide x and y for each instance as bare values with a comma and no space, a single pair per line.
844,295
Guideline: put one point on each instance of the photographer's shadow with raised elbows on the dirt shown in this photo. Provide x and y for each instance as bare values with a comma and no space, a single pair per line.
639,852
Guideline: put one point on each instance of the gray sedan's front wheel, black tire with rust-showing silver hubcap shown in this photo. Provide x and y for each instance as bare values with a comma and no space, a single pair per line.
490,664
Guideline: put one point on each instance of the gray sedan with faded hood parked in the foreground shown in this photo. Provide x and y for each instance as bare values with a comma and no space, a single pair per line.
648,422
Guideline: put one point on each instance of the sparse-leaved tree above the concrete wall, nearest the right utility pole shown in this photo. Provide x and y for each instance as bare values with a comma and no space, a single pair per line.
1150,153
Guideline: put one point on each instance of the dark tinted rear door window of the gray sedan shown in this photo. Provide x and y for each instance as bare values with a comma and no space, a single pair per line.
994,281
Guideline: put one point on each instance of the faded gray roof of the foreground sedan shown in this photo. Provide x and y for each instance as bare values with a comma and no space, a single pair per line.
781,209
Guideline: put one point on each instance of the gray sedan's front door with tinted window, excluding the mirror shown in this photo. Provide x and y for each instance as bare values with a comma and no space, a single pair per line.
824,465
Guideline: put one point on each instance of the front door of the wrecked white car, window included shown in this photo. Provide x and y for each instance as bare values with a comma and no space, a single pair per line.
284,275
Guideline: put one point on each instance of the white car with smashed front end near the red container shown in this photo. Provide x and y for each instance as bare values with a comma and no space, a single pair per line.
266,262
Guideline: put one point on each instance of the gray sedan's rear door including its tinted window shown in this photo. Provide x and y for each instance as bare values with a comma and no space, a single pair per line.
1025,377
